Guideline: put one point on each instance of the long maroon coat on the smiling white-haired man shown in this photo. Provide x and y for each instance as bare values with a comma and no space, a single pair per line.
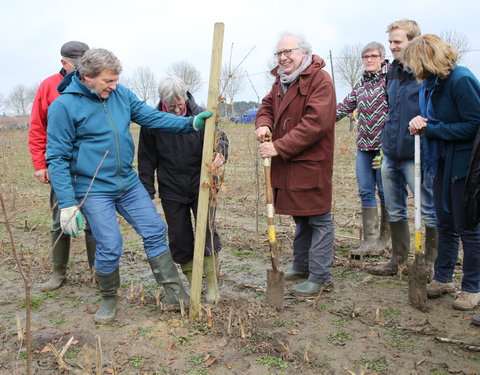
302,122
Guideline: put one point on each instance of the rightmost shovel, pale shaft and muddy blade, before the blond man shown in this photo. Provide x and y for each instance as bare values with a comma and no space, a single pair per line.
417,275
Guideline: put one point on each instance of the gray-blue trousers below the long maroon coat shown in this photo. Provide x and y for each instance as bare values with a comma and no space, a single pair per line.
313,246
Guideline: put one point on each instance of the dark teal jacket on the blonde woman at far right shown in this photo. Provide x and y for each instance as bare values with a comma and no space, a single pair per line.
456,101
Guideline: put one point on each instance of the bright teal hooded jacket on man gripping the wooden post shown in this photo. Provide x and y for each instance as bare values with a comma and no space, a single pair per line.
82,127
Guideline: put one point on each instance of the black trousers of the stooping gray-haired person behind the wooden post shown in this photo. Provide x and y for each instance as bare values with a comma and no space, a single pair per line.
181,230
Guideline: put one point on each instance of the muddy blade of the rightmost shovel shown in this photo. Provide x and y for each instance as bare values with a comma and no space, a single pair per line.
417,283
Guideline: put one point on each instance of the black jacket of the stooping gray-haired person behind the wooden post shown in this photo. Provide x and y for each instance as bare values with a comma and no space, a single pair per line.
176,158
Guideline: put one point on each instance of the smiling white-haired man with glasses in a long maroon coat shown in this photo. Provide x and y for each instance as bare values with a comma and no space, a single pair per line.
295,126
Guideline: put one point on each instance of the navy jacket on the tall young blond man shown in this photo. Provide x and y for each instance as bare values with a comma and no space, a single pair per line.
402,96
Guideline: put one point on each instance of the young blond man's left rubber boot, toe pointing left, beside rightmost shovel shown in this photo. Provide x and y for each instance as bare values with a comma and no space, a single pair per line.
400,233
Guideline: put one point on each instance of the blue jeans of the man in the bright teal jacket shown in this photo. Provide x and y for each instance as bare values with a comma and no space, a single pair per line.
138,210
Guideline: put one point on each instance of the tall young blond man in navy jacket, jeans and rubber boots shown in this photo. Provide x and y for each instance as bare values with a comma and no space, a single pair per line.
398,167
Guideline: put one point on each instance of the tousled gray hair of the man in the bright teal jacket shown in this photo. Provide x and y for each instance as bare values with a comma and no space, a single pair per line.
97,60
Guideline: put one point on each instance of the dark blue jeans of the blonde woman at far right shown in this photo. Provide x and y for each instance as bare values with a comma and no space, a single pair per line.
450,231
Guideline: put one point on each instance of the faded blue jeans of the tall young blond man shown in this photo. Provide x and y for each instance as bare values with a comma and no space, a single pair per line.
396,176
